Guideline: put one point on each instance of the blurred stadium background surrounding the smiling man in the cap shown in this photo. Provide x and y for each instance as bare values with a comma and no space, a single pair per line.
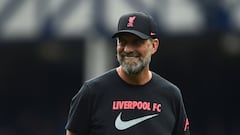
48,48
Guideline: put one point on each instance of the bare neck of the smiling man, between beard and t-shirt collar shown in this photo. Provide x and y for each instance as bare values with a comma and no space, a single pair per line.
139,79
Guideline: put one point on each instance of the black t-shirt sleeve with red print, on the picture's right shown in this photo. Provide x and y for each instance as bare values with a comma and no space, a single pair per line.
182,124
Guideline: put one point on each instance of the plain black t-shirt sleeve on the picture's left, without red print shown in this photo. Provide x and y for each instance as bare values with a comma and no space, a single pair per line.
79,114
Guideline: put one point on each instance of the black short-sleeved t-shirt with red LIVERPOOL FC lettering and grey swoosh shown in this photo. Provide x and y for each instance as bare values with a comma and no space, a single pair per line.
106,105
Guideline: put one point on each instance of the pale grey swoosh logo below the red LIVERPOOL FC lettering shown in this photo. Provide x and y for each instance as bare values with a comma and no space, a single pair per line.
122,125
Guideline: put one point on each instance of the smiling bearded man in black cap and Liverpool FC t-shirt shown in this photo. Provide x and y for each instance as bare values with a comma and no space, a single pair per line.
130,99
